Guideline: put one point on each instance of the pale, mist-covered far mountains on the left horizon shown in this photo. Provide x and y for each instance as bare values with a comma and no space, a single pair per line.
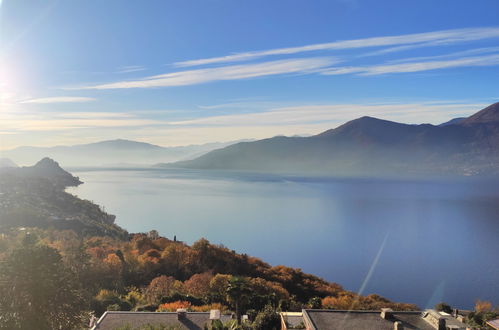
111,153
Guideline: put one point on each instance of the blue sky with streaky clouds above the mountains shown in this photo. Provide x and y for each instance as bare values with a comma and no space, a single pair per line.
180,72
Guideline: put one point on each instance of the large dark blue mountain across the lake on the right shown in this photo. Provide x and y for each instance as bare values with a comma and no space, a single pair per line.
370,147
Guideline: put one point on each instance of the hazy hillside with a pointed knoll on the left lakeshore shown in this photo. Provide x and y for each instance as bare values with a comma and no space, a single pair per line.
35,197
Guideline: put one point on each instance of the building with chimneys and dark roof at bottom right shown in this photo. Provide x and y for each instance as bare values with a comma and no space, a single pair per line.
319,319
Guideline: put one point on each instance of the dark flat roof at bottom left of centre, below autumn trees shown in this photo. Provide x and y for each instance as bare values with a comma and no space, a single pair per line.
192,321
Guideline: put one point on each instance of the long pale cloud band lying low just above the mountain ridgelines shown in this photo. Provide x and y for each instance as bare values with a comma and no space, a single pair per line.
301,119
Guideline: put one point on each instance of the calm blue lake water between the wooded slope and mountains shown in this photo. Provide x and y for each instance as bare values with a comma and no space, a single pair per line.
412,241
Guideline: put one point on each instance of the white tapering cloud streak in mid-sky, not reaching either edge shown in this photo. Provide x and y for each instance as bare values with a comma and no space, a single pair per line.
232,72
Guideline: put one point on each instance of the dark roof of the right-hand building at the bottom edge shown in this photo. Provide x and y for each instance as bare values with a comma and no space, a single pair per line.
360,320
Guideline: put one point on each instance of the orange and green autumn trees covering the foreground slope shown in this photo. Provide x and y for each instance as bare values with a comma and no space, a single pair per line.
79,275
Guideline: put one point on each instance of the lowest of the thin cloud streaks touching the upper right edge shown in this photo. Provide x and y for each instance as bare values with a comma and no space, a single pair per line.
488,60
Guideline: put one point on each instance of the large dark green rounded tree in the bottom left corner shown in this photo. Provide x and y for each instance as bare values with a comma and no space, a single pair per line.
37,291
